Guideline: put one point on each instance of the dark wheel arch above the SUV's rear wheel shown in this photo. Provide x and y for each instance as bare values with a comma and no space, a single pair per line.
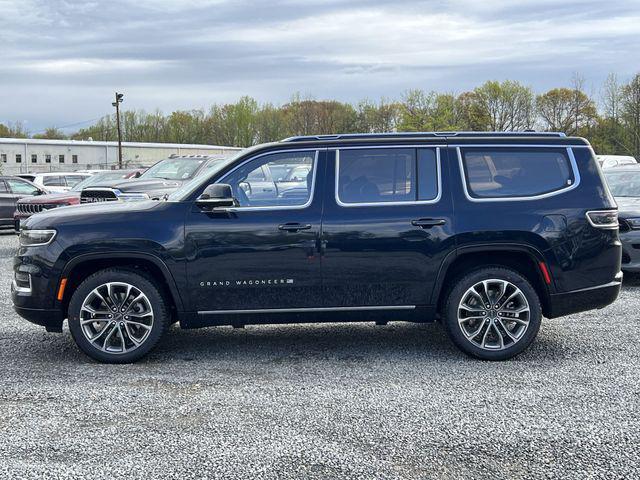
524,259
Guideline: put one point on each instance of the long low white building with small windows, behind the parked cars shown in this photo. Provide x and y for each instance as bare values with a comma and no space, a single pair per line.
21,155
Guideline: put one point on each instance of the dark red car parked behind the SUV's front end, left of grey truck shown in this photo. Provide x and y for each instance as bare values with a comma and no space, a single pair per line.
27,206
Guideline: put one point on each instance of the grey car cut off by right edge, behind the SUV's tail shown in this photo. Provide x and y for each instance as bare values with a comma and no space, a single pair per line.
624,183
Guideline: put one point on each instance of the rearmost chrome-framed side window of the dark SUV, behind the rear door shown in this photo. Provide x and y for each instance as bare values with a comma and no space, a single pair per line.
516,172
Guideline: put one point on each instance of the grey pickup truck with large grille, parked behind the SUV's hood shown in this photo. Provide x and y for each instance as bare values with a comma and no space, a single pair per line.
158,181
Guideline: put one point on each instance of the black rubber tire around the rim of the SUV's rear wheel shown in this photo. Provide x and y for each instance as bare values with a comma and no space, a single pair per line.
455,296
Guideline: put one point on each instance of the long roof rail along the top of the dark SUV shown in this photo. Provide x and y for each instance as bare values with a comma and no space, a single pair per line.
355,136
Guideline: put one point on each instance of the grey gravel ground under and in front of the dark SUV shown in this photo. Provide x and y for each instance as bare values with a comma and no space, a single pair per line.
324,401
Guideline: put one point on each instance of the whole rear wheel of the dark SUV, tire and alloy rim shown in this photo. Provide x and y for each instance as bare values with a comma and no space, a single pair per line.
493,313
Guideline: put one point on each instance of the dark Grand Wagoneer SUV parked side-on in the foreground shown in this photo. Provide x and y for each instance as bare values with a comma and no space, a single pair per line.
484,232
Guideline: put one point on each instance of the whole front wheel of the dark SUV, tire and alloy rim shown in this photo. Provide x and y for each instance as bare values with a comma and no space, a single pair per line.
117,315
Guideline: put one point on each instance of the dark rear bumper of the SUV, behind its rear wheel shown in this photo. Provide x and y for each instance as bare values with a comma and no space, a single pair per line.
600,296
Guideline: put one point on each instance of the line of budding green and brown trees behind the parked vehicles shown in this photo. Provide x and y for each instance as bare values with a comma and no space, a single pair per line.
610,119
